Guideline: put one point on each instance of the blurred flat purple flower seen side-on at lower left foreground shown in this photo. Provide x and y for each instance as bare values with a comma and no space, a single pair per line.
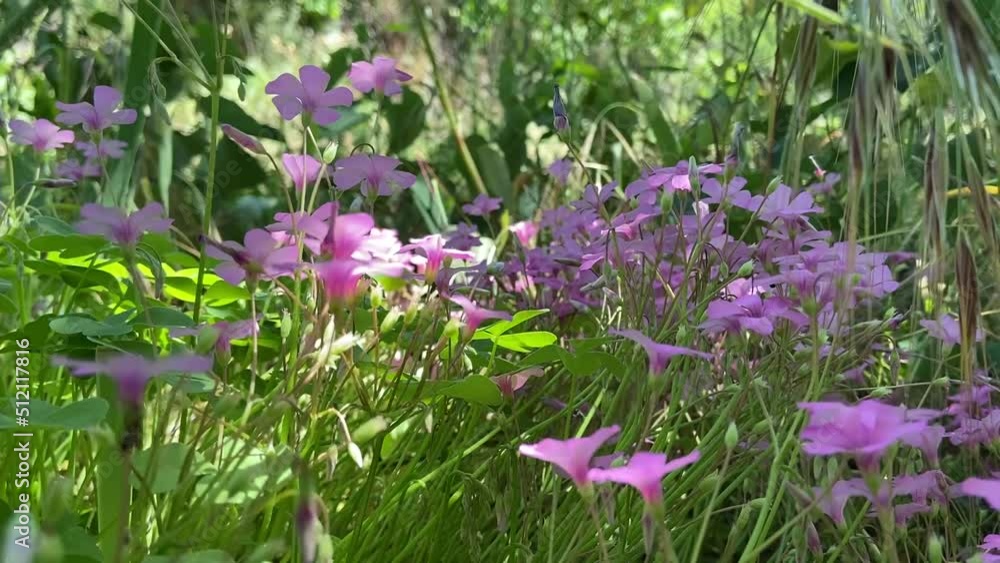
132,372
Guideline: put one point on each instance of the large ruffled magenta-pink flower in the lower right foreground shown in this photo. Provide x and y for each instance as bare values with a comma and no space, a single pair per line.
864,430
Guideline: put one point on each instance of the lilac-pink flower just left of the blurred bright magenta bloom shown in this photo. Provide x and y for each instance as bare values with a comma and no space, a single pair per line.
260,256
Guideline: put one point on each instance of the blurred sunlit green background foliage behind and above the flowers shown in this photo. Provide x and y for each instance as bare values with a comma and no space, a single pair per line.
646,83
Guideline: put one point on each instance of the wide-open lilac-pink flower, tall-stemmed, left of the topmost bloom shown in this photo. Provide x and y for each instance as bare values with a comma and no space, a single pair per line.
308,95
